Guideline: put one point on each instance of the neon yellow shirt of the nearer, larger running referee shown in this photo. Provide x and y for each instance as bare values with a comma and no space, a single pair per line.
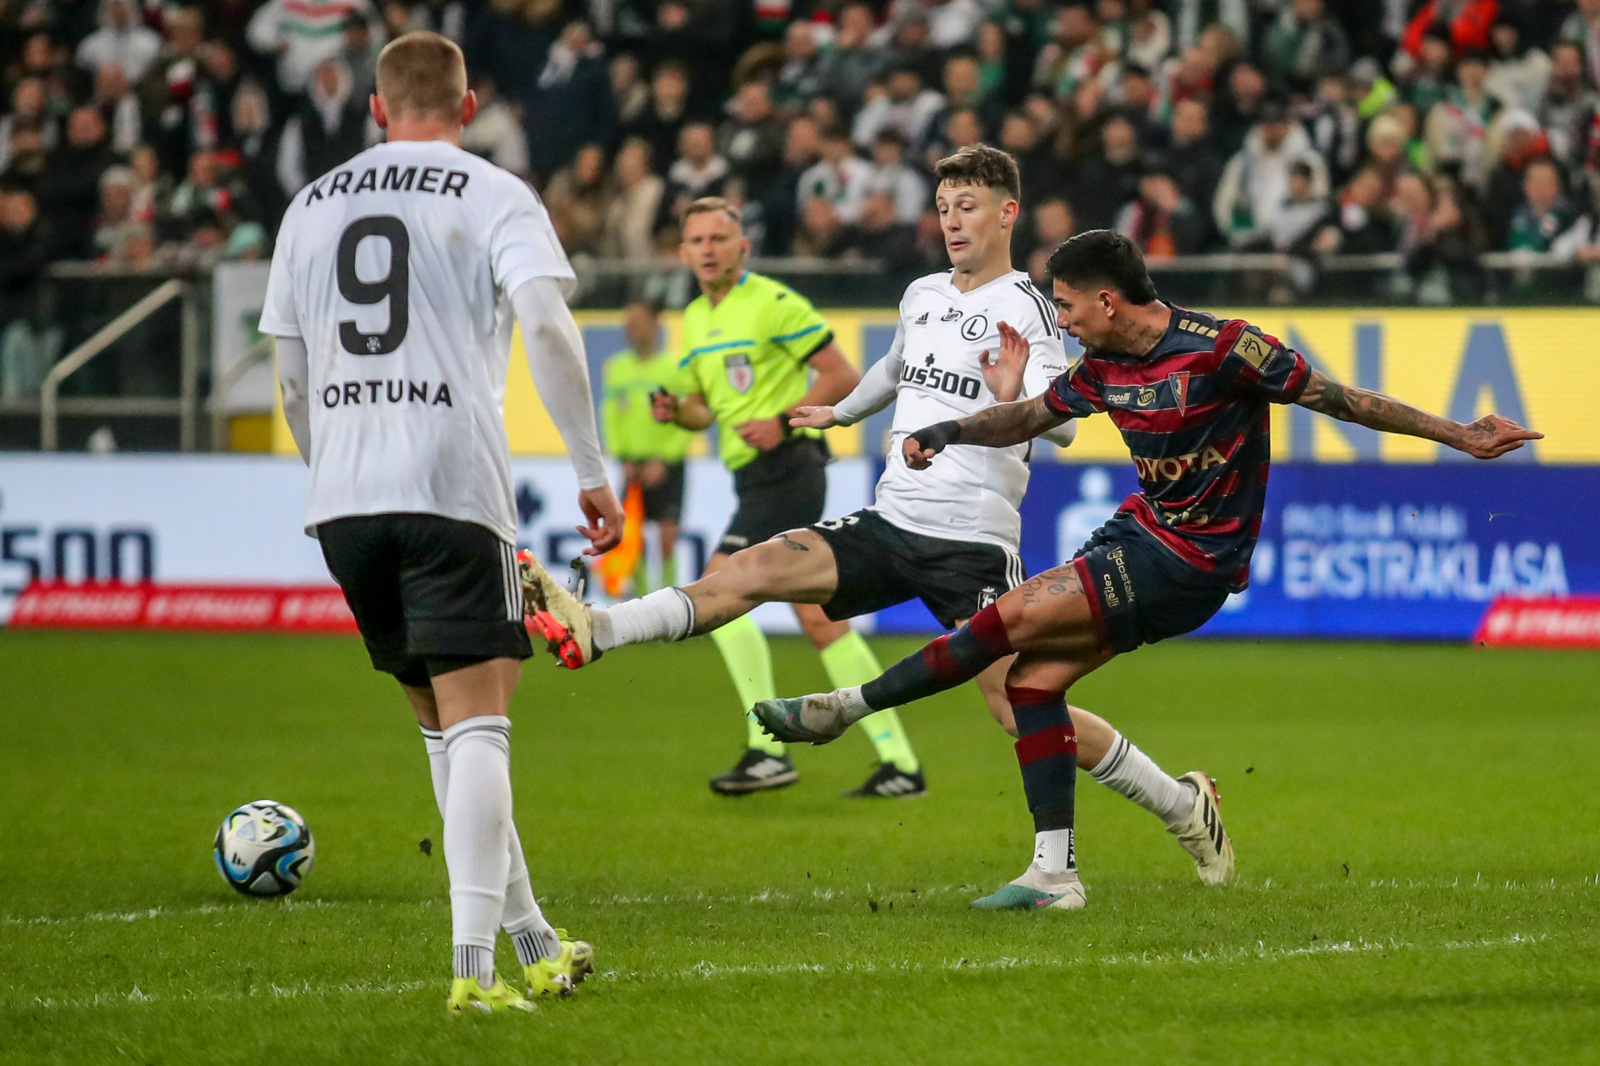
748,358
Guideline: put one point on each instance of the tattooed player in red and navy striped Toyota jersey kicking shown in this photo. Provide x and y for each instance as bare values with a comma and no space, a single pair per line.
1190,395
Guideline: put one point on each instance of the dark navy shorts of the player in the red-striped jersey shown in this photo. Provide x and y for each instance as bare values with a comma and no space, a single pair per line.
1138,591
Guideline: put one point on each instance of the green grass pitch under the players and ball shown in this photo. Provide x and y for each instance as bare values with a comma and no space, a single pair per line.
1417,832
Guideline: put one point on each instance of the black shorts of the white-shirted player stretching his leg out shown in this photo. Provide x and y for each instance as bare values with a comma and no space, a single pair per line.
881,566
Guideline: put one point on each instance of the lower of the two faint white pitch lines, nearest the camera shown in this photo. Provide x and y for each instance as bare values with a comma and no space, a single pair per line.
708,971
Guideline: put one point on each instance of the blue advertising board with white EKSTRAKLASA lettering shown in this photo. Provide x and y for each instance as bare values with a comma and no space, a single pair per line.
1364,550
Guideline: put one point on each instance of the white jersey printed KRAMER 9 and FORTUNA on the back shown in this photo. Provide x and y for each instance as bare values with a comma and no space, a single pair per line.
396,271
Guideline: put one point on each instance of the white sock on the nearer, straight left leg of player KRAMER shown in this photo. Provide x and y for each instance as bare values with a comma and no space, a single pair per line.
478,835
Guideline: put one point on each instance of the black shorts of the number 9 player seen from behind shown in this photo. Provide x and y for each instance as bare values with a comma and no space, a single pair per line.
425,588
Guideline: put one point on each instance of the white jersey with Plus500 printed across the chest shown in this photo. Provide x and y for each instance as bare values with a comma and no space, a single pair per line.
970,492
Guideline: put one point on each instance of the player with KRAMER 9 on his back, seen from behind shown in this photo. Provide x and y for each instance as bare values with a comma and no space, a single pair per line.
393,295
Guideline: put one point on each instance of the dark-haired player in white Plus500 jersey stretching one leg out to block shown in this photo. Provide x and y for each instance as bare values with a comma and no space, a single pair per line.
969,339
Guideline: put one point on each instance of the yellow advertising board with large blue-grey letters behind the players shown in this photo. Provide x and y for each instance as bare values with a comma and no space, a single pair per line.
1538,367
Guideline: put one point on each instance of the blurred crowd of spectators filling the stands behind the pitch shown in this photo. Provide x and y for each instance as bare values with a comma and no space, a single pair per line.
140,134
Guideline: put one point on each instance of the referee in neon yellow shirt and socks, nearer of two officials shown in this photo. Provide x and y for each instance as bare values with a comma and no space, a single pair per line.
750,345
